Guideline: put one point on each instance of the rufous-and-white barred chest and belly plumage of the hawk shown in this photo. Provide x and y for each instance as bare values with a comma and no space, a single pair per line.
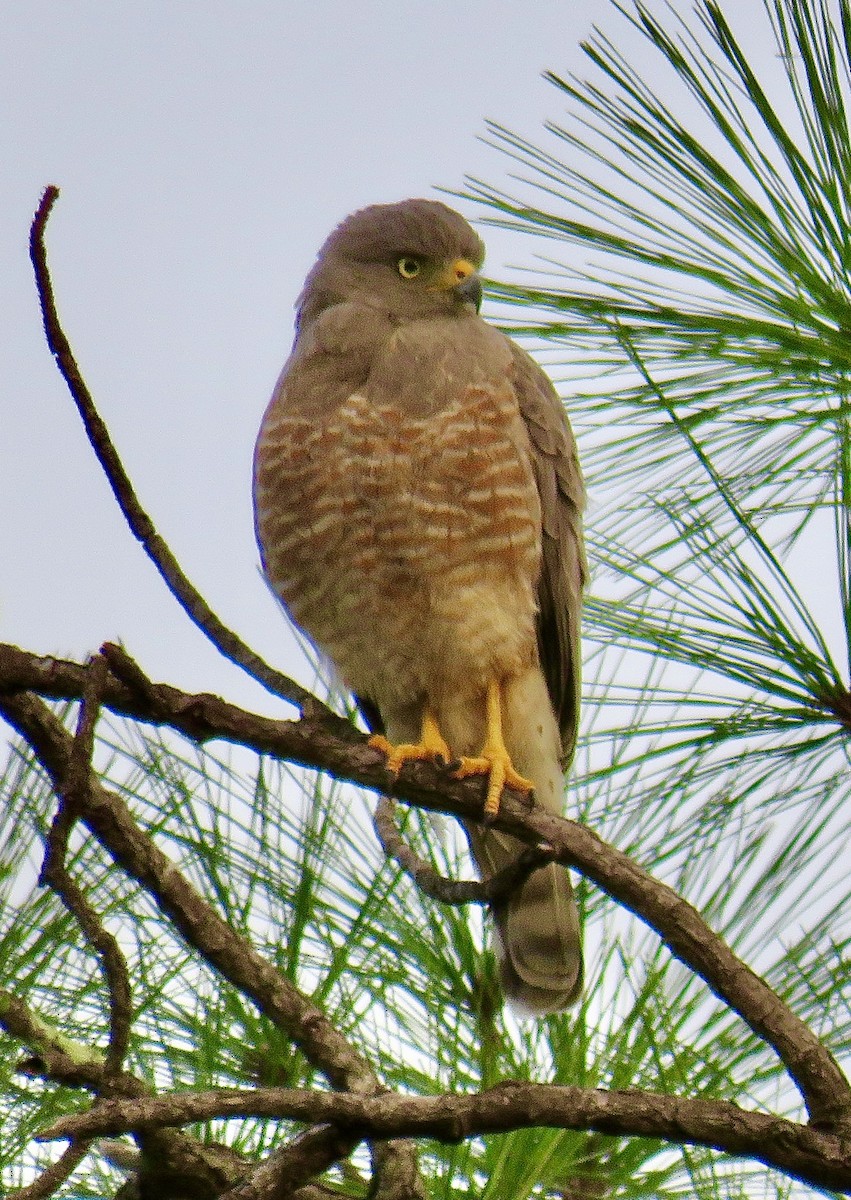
407,544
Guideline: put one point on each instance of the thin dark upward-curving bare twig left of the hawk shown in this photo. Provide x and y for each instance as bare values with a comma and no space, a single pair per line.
141,525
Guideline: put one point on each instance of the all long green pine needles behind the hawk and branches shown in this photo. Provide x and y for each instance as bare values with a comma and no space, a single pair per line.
692,221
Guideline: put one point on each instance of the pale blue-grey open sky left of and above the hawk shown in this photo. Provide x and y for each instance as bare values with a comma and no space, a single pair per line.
203,152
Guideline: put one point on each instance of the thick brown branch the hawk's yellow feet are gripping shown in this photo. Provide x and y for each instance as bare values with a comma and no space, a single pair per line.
332,745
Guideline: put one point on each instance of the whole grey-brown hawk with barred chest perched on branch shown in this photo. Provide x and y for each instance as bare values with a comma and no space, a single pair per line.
418,508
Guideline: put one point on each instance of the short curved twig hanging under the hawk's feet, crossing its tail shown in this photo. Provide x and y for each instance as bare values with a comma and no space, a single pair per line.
494,891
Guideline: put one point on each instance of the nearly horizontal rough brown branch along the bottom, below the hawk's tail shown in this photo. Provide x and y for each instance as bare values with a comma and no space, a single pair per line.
820,1160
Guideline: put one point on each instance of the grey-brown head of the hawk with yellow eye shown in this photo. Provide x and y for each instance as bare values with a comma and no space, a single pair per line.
412,260
